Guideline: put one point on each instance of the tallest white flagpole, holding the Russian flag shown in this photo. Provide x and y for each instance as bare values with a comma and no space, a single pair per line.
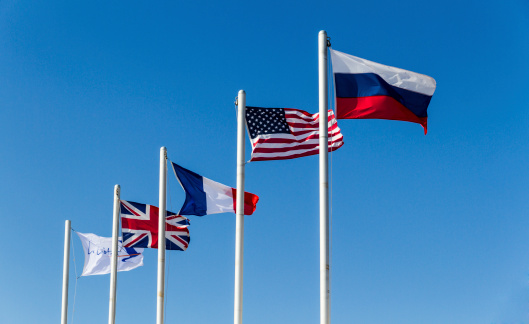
325,316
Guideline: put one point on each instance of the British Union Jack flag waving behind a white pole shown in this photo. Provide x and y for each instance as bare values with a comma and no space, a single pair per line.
139,224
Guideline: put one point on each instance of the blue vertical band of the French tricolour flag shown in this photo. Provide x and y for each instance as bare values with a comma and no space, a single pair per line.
193,184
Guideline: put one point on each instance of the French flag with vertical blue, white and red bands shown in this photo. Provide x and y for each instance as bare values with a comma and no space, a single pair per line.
205,196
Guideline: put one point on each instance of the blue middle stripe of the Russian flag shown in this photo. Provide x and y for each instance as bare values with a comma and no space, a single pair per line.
357,85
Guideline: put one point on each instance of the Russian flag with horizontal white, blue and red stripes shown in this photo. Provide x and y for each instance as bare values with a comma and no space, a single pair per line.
369,90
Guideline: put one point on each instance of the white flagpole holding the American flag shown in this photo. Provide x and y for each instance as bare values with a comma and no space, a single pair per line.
239,215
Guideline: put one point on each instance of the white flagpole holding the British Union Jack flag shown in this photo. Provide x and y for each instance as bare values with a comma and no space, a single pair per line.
114,260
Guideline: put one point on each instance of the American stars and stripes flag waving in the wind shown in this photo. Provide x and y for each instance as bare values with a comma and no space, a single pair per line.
286,133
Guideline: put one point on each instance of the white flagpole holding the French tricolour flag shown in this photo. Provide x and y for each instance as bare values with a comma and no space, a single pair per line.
161,236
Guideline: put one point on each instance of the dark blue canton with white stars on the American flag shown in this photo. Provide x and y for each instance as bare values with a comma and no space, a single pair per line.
262,121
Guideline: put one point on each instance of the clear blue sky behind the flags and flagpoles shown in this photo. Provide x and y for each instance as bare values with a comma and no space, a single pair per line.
425,229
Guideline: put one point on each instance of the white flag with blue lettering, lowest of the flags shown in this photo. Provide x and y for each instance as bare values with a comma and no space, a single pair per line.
97,253
